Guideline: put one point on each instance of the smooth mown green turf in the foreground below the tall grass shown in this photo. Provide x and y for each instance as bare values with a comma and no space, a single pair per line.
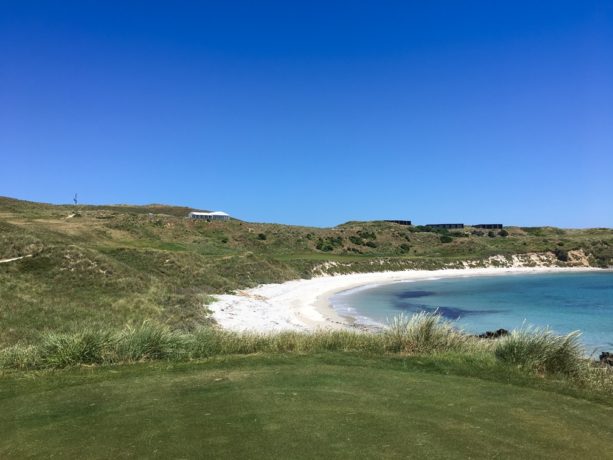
310,406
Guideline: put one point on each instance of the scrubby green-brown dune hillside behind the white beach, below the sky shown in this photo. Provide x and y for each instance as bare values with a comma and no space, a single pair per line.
111,265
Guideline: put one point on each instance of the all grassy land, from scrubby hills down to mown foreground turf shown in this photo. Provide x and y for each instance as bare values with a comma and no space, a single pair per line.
181,389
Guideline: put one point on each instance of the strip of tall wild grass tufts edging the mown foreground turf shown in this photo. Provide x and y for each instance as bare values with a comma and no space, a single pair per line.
532,351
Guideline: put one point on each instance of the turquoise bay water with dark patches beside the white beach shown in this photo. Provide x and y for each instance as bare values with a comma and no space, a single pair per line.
562,301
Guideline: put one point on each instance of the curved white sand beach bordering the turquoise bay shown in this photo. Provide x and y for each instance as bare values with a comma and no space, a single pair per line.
304,304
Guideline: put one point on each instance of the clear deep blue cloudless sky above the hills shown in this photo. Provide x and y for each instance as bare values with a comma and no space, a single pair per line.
315,113
